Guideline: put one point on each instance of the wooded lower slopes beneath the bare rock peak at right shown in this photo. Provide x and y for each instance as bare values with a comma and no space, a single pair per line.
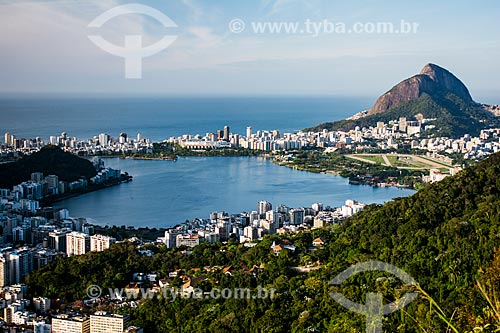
454,116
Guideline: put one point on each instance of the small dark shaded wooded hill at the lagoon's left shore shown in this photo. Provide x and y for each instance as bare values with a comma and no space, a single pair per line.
50,160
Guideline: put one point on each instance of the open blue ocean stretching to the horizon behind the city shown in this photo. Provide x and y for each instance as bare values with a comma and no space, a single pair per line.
160,118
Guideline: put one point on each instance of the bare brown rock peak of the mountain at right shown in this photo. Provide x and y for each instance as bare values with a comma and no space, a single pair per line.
431,80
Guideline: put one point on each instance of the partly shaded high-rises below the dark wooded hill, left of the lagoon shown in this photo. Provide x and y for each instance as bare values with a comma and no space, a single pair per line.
44,233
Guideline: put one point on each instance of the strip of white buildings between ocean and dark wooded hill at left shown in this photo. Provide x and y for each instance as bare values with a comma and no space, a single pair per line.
100,144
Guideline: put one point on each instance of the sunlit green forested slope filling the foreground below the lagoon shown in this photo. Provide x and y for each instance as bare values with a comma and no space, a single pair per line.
444,236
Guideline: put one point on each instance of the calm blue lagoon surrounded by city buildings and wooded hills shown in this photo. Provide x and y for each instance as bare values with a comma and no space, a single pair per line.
165,193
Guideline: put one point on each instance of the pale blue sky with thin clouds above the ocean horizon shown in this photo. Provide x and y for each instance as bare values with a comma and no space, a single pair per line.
45,48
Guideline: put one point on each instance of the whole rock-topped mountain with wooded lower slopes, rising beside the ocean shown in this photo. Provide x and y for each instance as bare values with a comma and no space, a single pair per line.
436,94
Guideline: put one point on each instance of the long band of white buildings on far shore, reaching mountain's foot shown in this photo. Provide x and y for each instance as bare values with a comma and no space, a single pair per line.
386,135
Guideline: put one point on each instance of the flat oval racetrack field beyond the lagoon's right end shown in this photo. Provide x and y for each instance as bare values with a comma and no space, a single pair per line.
401,161
